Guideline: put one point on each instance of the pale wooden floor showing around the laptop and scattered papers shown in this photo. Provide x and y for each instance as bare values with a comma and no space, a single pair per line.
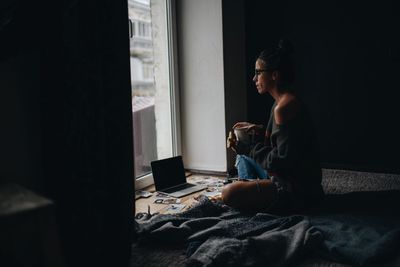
148,205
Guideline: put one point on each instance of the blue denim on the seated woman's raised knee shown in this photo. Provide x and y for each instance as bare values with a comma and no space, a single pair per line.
249,169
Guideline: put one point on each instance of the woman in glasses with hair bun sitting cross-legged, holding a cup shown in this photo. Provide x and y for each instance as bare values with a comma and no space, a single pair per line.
289,155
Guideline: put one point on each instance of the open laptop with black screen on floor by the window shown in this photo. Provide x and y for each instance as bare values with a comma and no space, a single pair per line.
169,177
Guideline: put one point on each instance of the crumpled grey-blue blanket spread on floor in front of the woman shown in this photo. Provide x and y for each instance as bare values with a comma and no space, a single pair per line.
217,235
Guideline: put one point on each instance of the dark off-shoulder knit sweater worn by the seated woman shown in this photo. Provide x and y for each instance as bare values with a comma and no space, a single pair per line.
292,153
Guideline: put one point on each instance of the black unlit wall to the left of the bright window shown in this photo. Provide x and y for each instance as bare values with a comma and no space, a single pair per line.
66,104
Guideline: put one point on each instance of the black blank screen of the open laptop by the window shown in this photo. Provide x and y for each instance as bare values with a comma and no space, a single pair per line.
168,172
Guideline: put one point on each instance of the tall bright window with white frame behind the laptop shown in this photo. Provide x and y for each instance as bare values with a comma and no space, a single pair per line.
154,93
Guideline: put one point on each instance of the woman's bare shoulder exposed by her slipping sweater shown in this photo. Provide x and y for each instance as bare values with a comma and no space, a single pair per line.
287,108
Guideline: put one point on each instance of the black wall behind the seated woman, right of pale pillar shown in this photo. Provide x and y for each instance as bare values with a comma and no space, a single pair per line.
347,60
